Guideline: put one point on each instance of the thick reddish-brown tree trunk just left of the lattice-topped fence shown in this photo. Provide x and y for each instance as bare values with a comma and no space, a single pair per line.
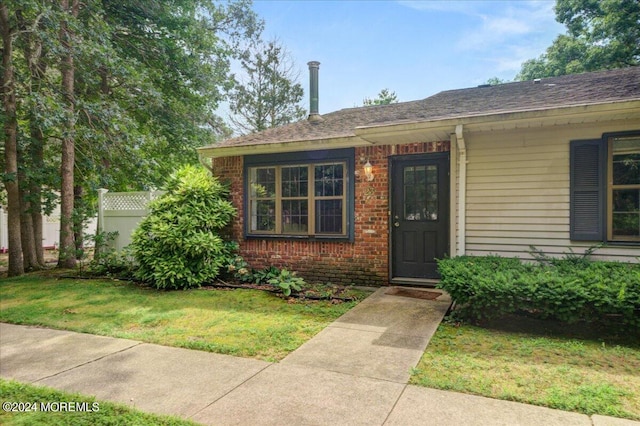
67,255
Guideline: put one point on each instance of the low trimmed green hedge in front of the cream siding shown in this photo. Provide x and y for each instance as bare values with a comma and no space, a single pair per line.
565,289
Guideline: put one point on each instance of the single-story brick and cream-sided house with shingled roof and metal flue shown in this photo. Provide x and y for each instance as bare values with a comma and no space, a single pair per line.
374,195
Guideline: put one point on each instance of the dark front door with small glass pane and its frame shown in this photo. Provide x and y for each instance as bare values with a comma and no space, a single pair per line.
419,214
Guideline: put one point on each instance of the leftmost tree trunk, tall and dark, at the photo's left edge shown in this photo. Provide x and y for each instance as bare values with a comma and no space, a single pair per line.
11,184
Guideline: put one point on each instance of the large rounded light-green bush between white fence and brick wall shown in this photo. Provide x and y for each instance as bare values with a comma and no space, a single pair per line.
178,246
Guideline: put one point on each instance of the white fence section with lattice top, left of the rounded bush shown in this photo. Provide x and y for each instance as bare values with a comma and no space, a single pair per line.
121,212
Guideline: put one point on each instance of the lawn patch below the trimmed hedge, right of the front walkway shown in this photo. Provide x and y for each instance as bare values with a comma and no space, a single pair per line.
586,375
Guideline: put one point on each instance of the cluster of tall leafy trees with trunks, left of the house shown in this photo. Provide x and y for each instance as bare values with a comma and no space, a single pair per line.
106,93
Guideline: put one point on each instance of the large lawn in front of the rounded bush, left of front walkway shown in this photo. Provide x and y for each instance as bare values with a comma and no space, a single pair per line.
246,323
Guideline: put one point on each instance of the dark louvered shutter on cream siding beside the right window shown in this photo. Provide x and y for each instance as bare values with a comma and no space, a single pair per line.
587,188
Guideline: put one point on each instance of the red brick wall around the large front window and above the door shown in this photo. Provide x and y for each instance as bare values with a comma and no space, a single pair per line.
363,262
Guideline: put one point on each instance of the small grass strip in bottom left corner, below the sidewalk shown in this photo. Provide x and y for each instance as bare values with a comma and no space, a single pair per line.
44,408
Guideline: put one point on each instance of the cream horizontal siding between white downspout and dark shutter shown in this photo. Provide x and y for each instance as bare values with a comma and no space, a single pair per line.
518,193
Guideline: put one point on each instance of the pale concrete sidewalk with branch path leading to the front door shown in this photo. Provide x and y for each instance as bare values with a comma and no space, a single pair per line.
353,372
